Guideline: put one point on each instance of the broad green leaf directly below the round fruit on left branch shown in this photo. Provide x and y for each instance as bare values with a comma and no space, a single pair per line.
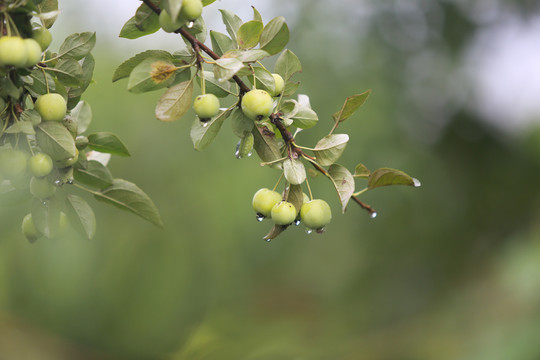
54,139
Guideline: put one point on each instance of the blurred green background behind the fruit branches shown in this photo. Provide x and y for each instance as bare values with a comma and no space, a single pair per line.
447,271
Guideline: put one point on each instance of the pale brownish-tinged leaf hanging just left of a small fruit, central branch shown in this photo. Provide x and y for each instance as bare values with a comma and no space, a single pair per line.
175,102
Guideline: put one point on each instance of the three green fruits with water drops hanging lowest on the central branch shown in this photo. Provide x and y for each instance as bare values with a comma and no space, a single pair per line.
314,214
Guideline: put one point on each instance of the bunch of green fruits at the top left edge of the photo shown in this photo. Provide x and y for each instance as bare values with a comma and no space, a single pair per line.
22,53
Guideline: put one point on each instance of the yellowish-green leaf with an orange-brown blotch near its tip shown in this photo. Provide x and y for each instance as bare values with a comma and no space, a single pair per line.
151,74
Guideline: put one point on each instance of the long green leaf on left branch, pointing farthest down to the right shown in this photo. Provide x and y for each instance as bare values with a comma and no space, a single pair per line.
127,196
